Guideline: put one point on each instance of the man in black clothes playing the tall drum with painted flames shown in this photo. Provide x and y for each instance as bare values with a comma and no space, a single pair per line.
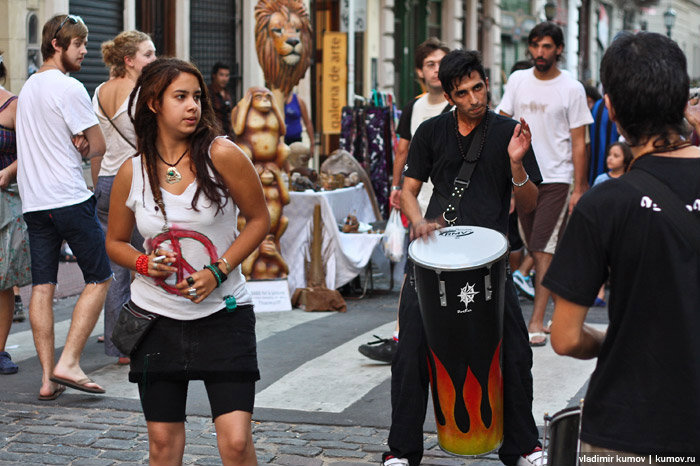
506,164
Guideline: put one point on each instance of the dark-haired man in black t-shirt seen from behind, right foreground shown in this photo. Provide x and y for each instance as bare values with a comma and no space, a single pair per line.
642,398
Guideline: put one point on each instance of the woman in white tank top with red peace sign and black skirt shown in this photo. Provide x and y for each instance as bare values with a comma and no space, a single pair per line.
183,193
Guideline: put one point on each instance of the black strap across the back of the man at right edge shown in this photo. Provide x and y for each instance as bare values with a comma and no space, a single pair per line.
671,205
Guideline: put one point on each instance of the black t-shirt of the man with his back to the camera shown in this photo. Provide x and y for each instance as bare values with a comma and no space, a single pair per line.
643,394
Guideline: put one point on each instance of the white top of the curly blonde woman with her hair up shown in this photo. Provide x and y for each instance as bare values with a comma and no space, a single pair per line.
118,149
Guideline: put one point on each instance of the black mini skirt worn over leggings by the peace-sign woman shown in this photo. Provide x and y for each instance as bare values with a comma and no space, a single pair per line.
218,348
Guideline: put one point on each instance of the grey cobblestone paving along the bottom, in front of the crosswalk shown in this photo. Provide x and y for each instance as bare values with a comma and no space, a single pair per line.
37,435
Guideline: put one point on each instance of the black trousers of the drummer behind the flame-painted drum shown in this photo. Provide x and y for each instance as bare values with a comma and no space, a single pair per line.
409,381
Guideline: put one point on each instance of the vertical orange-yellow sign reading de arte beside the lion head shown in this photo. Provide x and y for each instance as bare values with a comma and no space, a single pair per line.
335,77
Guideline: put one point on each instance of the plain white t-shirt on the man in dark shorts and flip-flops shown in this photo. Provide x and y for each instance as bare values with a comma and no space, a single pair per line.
51,108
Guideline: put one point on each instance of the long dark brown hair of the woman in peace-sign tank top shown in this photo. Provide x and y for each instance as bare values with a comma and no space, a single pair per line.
150,87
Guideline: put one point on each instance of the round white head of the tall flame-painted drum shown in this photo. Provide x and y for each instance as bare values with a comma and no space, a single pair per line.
459,248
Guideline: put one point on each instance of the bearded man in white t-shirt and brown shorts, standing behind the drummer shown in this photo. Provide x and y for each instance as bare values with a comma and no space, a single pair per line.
554,104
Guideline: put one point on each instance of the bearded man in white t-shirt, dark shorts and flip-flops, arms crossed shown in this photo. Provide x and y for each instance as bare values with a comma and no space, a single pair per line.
56,128
